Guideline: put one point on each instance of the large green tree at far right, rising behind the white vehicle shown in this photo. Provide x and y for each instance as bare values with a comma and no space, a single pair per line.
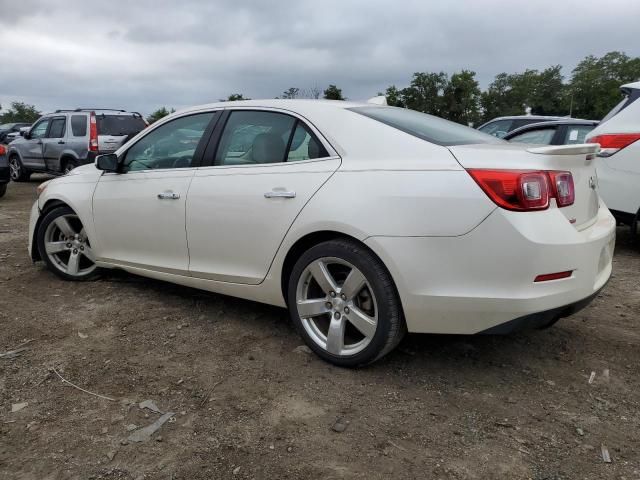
594,88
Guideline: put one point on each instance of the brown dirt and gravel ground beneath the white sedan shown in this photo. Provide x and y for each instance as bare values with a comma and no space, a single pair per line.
249,403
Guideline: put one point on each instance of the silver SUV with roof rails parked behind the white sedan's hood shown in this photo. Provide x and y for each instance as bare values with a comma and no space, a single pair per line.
60,141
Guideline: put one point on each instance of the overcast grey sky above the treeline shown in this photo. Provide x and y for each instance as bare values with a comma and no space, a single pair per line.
143,54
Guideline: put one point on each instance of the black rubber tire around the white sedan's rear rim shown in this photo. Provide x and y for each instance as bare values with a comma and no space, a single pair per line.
390,328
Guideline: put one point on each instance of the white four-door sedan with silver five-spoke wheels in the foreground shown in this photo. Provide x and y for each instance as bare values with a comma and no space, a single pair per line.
366,221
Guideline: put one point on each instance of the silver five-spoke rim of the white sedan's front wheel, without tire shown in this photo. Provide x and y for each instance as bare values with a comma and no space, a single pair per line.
67,246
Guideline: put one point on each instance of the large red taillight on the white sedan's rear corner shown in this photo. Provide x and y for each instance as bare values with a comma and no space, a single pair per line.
524,191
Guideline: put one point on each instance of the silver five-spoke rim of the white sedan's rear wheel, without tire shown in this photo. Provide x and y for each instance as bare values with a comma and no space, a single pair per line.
336,306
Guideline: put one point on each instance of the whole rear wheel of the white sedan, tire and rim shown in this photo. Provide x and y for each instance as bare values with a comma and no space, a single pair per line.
344,303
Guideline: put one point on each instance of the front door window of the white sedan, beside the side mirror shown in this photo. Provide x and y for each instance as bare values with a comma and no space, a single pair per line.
172,145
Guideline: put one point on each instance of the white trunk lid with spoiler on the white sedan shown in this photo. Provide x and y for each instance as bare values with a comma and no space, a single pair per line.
579,159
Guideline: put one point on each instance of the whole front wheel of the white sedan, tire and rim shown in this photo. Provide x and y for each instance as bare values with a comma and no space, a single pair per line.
64,246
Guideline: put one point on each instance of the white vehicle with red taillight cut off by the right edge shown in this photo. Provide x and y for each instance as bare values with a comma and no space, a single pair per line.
619,166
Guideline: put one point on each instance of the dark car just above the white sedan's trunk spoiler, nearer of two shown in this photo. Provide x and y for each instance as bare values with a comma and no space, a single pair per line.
558,132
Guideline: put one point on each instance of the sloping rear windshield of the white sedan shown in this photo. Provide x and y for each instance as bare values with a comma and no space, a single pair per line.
427,127
